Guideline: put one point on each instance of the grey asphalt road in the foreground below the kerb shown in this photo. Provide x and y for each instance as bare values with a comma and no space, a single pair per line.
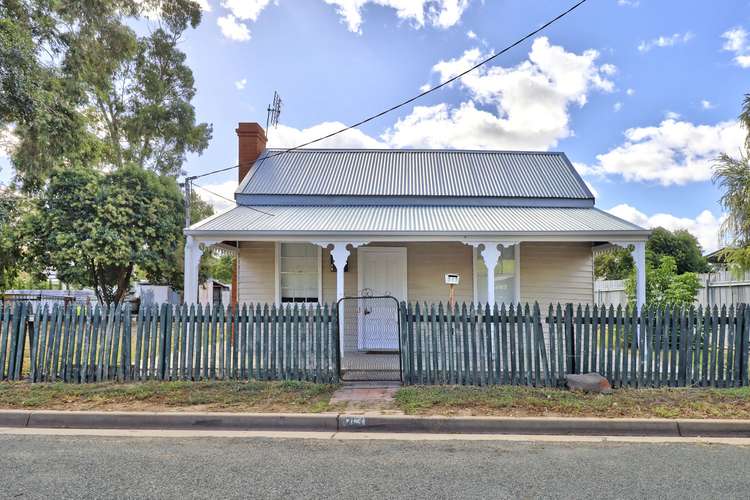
115,467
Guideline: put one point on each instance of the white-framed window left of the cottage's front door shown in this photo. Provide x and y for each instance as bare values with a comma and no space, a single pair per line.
299,272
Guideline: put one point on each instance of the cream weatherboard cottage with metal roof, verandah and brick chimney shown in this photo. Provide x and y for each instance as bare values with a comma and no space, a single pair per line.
317,225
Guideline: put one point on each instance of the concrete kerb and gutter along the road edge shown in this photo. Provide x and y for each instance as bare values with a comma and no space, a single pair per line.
370,423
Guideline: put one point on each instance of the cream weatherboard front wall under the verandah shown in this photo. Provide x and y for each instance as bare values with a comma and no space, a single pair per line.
550,272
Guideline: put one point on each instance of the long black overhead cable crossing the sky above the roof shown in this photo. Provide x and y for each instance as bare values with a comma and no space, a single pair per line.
414,98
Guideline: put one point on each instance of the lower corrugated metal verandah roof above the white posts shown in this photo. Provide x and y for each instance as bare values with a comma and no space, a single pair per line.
413,219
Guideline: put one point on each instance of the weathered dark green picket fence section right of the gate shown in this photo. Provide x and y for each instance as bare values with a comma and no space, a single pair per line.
476,345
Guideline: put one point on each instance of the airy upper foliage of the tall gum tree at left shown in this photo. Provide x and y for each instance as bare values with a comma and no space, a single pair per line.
81,87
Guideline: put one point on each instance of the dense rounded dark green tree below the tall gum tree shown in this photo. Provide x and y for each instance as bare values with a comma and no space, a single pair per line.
95,227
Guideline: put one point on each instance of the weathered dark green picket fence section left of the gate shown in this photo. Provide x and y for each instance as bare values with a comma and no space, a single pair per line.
81,344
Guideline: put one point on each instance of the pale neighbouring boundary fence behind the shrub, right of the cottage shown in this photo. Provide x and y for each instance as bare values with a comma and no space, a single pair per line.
721,288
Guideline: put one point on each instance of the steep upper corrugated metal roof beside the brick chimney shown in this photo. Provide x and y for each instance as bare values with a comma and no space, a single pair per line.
332,172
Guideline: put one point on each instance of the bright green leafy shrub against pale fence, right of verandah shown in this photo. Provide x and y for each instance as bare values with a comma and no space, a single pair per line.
664,286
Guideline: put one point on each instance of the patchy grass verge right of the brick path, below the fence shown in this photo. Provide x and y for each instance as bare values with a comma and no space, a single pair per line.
514,401
